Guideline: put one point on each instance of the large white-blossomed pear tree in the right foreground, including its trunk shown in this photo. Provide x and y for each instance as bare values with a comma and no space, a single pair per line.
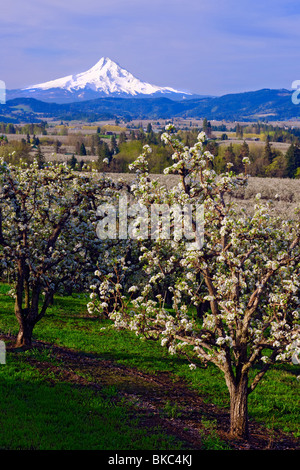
247,269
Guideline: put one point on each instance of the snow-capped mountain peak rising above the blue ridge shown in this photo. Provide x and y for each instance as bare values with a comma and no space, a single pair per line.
106,78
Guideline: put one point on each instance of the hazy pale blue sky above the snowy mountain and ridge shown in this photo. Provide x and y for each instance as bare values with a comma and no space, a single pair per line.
203,46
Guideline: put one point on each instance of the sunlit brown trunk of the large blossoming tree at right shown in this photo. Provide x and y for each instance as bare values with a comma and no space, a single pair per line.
239,409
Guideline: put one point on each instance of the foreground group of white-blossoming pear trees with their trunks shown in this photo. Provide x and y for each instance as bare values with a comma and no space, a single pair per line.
204,281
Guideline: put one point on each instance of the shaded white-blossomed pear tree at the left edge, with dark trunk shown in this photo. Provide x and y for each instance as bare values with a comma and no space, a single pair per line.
47,235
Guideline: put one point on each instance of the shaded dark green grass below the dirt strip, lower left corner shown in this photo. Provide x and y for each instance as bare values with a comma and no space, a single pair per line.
36,415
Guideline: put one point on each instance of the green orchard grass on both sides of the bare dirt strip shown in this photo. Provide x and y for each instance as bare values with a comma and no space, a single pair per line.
274,402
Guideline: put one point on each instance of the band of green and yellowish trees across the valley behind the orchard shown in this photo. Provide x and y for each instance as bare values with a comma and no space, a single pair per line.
116,153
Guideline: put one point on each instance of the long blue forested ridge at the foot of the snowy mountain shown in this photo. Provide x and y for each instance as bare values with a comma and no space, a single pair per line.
262,105
